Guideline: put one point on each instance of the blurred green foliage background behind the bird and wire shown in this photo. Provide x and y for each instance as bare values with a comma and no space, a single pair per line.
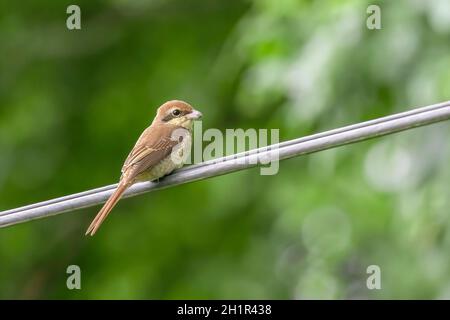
72,103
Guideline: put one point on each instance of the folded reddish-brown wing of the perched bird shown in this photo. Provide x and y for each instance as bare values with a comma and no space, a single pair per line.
155,144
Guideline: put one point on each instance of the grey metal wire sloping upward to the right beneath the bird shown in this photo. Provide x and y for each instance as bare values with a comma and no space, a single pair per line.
288,149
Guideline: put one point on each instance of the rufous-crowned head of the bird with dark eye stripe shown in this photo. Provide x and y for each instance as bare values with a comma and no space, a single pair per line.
177,113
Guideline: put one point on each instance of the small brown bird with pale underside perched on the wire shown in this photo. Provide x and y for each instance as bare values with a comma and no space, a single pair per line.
162,147
